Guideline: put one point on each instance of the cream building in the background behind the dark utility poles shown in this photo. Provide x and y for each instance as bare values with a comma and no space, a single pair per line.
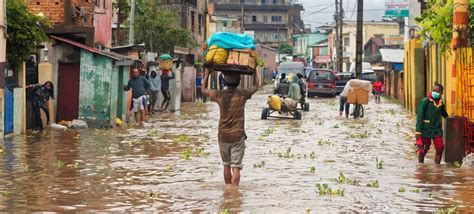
380,29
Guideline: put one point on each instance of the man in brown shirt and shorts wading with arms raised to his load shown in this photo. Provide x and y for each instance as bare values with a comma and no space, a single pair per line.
231,134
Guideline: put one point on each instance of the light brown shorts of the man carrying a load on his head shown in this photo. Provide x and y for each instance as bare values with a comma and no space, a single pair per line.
232,154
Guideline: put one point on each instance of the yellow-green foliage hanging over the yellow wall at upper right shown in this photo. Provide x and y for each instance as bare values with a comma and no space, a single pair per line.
437,23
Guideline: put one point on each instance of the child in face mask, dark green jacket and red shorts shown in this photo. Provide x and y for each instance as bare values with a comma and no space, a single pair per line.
428,124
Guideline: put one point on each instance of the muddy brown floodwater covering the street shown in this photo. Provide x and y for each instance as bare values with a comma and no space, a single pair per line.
173,164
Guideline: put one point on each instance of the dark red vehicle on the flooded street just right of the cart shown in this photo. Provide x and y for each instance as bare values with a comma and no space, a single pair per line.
321,82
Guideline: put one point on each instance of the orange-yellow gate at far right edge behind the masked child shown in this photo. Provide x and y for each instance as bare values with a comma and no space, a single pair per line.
465,63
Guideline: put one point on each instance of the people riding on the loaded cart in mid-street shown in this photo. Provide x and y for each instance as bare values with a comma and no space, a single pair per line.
292,92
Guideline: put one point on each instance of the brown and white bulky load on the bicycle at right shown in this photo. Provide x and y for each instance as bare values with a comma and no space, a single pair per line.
357,91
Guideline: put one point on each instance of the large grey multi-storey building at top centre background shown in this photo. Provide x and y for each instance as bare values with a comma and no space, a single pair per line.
272,21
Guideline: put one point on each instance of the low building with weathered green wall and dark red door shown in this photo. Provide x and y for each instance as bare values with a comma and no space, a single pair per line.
89,83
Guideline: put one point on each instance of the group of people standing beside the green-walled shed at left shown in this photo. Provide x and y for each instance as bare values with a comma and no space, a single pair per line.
145,89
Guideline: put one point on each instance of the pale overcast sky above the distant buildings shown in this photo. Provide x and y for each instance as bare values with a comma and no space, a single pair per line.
319,12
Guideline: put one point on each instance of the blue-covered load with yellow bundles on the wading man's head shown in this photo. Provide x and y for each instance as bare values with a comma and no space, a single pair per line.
231,49
